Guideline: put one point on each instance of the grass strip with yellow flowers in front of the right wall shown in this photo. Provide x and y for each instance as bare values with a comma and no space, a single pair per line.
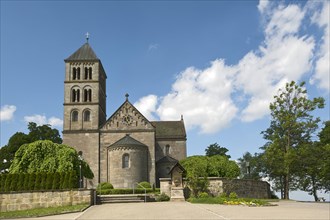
230,201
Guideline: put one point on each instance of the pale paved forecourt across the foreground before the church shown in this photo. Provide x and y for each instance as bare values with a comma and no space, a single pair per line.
184,210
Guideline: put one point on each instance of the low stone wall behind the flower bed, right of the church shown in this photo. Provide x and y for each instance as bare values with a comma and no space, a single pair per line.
242,187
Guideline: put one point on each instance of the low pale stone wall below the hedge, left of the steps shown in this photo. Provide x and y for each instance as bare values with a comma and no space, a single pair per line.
13,201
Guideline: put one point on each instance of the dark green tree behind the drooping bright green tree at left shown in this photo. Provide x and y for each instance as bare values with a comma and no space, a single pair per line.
43,132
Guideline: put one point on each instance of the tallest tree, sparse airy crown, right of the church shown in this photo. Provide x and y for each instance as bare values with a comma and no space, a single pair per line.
292,125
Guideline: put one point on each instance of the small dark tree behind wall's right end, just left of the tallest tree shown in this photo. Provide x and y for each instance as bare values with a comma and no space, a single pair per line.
250,166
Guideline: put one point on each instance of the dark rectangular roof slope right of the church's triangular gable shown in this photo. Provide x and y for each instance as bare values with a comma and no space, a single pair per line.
169,129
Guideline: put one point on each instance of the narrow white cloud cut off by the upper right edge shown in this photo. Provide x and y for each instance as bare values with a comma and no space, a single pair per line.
322,66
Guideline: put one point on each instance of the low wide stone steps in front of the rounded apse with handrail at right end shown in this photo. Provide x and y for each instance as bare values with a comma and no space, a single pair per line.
122,198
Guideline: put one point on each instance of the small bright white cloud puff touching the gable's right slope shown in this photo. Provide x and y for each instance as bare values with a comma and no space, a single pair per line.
147,106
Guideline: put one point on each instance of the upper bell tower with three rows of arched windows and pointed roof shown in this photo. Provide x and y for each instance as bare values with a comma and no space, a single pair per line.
84,91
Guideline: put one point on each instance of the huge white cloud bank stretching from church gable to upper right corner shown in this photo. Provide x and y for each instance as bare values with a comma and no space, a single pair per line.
289,52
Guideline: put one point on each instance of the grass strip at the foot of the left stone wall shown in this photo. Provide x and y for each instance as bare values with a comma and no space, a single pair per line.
43,211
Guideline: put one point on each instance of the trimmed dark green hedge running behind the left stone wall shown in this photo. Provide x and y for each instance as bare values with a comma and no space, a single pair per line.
38,181
